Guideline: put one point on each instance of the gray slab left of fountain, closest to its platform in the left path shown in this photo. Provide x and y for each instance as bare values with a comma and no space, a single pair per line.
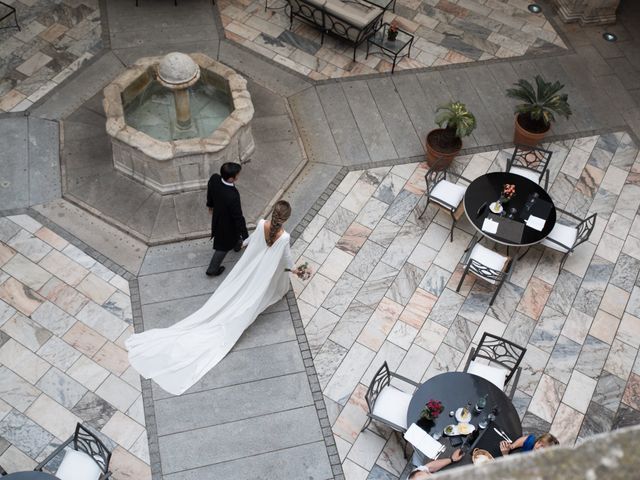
44,161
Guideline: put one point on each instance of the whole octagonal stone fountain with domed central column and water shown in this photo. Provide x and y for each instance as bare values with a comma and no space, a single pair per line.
174,120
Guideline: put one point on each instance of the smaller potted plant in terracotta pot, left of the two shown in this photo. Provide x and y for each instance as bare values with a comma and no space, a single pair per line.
444,143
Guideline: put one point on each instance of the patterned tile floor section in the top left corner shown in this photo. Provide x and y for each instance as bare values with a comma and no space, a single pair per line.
57,37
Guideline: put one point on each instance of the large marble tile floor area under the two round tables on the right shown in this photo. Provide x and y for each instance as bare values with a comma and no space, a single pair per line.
384,289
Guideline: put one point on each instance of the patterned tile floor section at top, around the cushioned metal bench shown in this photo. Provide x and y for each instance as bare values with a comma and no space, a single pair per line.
446,32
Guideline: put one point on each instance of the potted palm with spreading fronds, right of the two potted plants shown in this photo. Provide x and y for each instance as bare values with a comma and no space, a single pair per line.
538,110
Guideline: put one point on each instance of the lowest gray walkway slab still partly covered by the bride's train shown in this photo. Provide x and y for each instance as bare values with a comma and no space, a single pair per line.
247,366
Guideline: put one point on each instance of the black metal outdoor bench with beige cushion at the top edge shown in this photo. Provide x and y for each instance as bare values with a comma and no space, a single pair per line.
351,20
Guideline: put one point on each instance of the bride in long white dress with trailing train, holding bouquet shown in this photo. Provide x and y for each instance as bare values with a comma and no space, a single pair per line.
178,356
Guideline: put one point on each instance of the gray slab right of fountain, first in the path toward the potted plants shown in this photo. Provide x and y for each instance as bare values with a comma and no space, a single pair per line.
313,128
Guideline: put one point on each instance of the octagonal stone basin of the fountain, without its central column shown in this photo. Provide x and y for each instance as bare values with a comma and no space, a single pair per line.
170,163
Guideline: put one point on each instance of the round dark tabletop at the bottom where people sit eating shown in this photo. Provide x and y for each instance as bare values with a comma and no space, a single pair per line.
456,390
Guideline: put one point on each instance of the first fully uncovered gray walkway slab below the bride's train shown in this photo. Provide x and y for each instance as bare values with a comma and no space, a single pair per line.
230,404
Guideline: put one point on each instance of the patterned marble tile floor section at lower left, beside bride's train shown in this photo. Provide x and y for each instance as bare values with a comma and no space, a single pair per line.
63,320
